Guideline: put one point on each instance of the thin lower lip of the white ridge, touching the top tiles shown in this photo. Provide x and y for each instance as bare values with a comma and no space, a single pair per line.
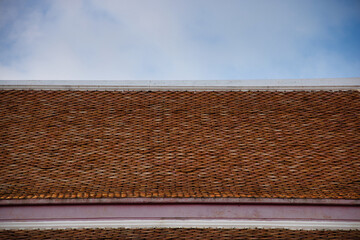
178,88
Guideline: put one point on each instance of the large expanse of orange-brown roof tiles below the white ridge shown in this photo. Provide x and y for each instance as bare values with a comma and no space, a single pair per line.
78,144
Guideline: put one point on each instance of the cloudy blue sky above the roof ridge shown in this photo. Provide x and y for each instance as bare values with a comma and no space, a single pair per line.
179,39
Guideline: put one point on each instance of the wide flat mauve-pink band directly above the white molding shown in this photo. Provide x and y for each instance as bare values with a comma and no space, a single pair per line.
180,211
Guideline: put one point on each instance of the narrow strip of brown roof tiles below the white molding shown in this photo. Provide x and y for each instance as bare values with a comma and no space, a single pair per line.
178,233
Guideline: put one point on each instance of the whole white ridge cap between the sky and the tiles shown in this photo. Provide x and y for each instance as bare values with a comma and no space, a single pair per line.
195,85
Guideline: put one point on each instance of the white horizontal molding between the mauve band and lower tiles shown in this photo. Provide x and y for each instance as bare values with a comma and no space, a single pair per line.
295,225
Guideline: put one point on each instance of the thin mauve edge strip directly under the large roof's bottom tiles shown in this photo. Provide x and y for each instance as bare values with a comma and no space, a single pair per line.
289,201
